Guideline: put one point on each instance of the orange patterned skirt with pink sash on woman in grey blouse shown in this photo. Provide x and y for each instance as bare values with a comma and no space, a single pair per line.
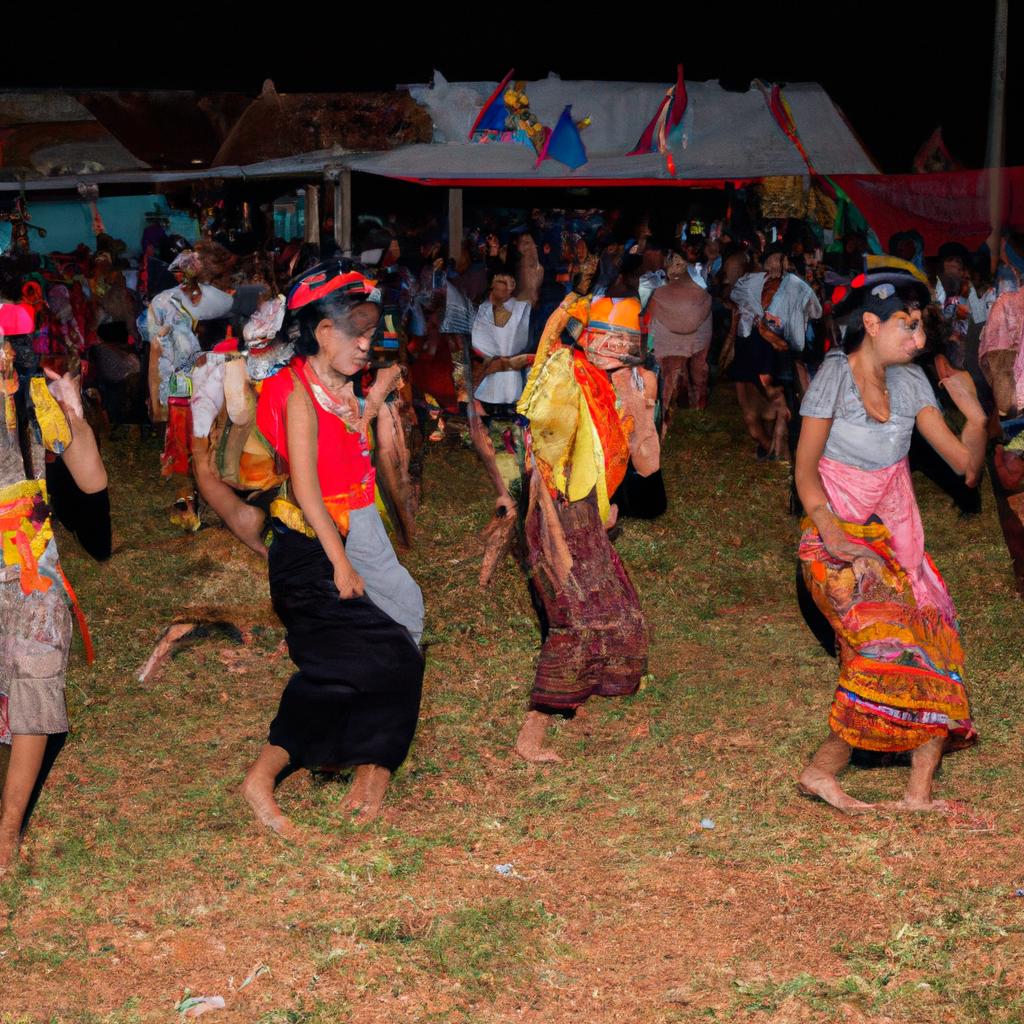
902,665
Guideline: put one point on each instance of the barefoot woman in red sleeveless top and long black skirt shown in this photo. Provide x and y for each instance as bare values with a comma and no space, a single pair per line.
353,613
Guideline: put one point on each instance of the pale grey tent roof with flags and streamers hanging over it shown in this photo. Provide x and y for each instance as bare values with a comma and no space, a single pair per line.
731,136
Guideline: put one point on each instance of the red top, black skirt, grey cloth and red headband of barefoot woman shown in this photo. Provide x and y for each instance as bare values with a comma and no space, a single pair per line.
356,698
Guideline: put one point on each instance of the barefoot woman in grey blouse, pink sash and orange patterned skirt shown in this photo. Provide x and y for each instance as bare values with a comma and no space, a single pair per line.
863,551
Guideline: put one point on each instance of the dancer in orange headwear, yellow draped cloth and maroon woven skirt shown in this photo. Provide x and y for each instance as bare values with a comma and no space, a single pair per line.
573,457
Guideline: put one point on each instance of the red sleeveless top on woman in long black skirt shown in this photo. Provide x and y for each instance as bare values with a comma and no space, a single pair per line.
344,467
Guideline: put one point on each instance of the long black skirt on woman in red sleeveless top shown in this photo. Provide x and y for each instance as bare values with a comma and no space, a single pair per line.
356,699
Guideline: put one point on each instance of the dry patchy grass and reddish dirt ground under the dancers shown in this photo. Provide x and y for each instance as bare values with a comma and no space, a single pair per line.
146,880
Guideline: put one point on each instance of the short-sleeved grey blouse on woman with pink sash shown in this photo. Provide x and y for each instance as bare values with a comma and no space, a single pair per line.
856,439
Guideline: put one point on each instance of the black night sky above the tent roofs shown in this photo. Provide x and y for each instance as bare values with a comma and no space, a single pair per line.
897,70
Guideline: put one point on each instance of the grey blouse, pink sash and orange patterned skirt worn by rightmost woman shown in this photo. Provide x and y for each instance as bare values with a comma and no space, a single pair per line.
902,665
